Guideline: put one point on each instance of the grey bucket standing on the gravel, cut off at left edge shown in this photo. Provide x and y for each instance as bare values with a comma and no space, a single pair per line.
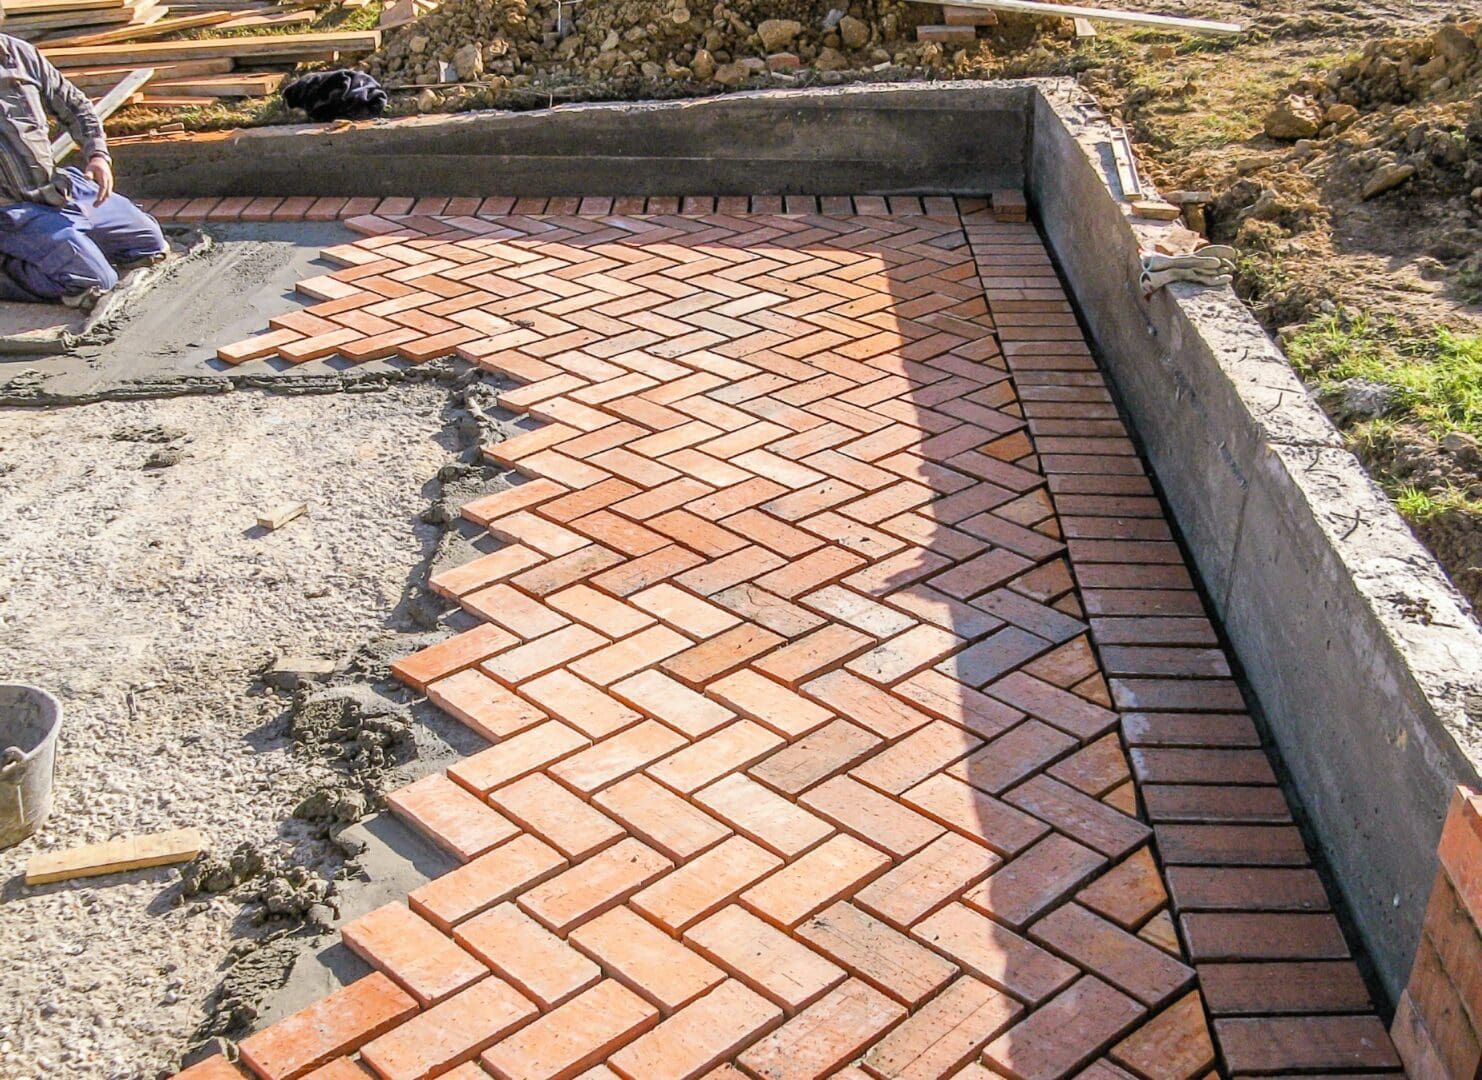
30,722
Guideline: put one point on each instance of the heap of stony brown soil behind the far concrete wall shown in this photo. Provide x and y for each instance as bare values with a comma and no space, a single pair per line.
668,48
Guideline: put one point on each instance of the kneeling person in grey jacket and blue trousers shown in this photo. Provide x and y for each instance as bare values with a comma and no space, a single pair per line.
64,235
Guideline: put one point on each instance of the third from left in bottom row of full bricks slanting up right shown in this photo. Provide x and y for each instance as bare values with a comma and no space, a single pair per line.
576,1036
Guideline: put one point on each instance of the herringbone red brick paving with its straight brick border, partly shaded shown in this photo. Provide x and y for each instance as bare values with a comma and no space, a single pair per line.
851,709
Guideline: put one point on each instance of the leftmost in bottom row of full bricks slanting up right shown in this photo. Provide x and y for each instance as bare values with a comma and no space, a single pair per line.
340,1023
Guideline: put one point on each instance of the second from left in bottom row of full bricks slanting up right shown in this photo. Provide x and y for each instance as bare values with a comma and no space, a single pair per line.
451,1033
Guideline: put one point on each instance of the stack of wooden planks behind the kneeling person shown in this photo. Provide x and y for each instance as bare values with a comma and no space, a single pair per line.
97,44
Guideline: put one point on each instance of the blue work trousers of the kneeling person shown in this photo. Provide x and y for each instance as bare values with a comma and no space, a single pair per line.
48,253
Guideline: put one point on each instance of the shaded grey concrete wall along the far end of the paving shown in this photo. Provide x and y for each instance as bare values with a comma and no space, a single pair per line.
899,140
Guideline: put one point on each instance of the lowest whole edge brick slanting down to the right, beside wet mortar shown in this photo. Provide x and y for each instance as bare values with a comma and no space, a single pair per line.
401,944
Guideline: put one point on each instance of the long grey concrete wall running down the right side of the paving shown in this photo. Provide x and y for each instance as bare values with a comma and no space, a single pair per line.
1364,661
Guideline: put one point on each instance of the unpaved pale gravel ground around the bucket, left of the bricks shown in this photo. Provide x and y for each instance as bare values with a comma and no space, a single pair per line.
144,598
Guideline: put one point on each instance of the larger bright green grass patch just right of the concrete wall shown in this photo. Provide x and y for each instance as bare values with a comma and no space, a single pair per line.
1437,377
